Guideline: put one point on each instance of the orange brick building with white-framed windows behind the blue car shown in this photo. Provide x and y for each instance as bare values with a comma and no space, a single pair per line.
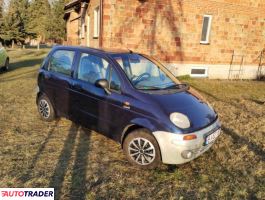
191,37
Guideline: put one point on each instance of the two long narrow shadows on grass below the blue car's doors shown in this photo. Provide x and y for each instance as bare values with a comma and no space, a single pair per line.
78,182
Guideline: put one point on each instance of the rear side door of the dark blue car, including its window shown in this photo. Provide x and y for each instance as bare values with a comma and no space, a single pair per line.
57,80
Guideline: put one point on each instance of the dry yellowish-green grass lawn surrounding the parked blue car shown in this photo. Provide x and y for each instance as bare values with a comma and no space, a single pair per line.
82,164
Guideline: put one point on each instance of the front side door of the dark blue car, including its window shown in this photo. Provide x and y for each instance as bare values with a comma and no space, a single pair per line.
92,106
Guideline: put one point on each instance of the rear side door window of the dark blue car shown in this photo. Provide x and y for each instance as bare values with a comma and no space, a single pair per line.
61,61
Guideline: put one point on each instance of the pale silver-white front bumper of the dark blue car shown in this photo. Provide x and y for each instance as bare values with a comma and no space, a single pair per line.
172,145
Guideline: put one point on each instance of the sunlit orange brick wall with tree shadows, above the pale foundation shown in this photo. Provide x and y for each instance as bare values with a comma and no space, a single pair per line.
171,29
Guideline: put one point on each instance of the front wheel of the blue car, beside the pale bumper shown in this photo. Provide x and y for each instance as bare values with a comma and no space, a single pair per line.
142,149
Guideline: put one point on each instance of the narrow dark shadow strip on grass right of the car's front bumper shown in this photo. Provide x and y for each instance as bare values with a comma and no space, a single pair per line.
243,141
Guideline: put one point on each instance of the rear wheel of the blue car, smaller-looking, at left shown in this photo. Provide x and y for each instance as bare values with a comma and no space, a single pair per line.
45,109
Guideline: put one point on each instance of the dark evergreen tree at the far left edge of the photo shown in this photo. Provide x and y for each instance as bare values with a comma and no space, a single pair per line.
13,26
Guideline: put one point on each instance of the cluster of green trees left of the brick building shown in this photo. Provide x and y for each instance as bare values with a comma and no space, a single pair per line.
23,19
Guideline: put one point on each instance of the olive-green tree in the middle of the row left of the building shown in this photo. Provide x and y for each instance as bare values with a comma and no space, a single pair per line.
39,18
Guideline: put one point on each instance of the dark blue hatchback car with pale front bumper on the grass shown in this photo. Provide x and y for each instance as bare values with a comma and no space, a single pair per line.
132,99
